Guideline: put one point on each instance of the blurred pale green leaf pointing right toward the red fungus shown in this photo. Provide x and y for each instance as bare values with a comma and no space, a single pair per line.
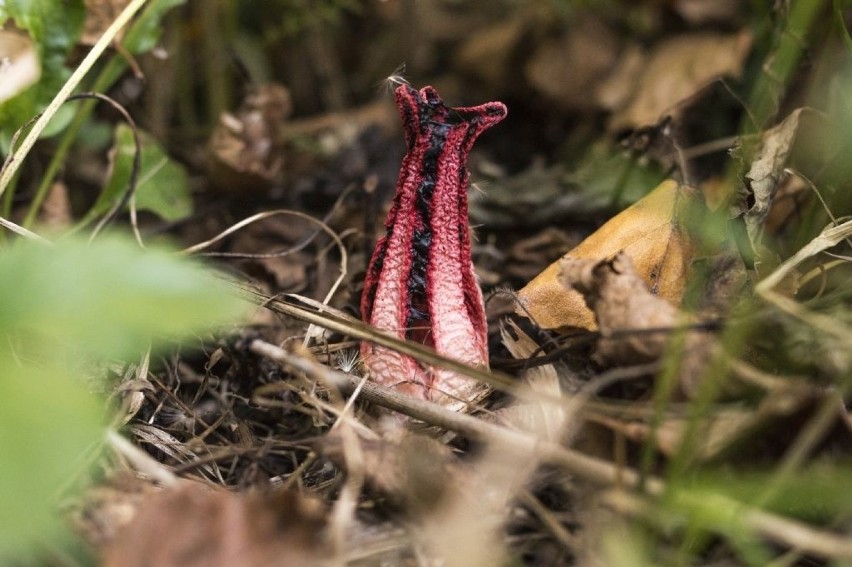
109,297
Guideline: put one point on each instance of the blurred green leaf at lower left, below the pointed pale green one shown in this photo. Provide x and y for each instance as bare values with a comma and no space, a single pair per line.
49,424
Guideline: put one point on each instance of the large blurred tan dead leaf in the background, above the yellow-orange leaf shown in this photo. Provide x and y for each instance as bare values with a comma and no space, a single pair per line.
677,69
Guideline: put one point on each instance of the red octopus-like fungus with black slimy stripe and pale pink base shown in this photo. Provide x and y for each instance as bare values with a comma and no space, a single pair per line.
420,282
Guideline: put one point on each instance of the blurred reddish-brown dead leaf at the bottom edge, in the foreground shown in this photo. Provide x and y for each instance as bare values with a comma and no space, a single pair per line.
195,525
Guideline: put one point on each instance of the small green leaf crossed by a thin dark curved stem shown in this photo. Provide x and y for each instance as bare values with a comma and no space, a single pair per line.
163,188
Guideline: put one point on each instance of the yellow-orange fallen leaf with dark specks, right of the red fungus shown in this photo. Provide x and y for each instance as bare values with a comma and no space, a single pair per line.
647,232
